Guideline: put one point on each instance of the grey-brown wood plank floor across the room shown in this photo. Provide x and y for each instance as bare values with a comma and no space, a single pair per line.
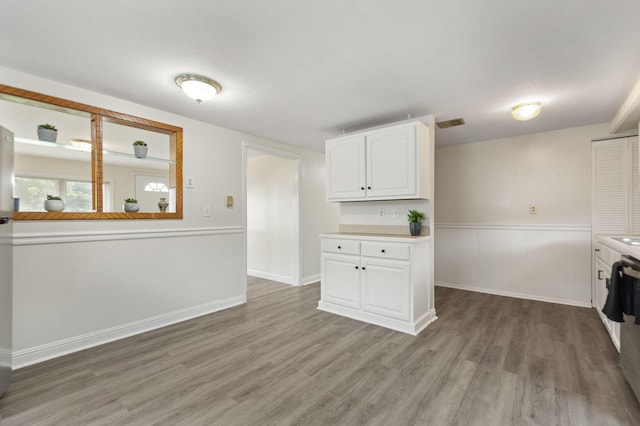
277,360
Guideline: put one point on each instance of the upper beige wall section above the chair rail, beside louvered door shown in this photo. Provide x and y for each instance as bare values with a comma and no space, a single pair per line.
494,182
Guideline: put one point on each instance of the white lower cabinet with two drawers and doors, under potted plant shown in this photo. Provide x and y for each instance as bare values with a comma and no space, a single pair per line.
387,281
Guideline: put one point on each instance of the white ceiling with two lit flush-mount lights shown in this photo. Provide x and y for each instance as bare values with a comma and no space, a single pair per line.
301,71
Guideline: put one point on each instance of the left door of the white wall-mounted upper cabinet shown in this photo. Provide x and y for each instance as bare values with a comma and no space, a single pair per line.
345,165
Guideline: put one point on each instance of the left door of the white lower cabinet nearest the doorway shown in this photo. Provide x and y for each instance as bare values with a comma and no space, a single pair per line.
341,280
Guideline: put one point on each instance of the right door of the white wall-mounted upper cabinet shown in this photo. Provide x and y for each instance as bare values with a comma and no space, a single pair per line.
392,162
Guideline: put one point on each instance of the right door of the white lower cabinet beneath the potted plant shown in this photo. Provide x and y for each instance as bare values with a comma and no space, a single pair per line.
386,288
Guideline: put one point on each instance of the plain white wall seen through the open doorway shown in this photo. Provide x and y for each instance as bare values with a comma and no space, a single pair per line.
270,218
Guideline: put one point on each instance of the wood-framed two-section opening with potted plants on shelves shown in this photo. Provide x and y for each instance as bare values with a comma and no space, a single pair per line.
91,164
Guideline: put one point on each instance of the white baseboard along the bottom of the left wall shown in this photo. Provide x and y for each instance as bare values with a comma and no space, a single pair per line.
52,350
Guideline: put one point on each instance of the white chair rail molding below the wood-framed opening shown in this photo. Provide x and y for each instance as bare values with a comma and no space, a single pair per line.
24,239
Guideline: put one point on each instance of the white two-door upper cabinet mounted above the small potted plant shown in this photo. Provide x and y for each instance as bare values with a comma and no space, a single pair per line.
383,164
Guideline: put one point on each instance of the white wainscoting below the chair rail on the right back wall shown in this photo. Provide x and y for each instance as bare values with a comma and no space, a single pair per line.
547,263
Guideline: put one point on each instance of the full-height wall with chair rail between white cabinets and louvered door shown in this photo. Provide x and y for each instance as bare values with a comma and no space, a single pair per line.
485,238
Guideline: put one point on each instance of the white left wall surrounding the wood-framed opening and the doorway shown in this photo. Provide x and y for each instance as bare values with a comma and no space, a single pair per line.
81,283
